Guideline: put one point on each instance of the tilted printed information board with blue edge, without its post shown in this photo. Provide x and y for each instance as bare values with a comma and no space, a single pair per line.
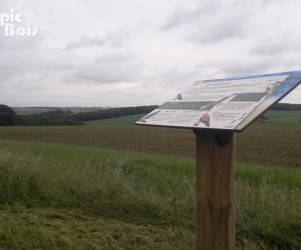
227,104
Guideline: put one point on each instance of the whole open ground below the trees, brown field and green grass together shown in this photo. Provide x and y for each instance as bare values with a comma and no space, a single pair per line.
118,186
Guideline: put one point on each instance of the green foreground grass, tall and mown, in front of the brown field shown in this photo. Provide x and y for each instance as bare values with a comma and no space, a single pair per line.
59,196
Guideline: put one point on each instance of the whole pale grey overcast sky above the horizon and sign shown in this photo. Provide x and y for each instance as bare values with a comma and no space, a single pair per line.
133,52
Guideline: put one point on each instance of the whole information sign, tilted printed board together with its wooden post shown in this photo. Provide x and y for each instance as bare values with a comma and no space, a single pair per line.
215,110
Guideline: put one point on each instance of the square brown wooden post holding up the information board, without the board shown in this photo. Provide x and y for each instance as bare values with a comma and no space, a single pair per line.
215,190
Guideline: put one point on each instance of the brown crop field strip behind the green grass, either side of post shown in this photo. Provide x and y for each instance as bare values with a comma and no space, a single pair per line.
274,144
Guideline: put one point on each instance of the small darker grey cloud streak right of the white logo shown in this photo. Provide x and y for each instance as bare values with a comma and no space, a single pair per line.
116,39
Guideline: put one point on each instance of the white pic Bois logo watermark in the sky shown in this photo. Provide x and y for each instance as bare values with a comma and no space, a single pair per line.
14,26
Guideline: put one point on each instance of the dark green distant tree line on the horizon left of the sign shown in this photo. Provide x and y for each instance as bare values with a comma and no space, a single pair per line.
8,116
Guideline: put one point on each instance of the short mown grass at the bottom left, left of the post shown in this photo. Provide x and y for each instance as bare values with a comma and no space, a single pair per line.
50,228
